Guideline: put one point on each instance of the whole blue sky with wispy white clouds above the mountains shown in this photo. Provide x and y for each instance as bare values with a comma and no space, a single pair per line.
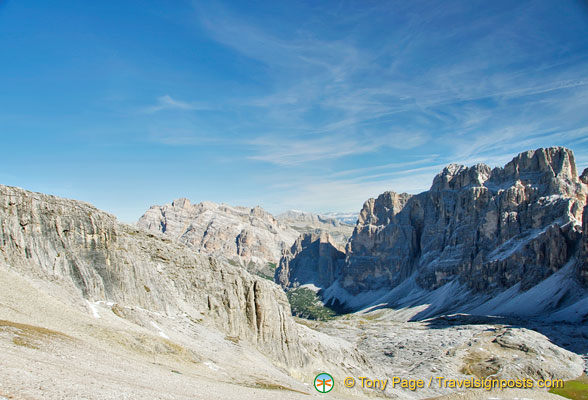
307,105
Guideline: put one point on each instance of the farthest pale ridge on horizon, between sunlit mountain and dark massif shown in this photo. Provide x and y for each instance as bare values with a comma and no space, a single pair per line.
305,222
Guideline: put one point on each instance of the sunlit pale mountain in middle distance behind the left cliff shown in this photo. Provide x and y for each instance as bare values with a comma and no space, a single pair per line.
248,236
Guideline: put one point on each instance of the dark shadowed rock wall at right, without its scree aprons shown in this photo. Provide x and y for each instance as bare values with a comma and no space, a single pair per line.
491,227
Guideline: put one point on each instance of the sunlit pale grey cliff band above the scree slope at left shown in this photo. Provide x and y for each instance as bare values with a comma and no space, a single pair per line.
76,246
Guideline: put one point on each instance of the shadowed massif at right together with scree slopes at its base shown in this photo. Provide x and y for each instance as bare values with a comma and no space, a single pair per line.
476,234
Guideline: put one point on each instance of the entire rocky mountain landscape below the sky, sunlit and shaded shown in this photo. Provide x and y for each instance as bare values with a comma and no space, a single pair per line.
484,275
